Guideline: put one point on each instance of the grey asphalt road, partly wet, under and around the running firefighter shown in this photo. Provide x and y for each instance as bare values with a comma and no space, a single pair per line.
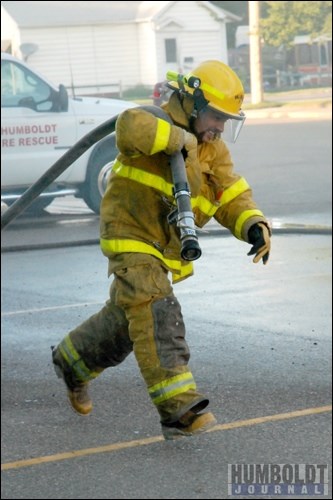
260,339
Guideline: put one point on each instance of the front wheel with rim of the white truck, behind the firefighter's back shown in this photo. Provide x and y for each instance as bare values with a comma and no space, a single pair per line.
99,165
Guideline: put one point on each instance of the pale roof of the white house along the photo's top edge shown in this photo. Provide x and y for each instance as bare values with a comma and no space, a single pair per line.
32,14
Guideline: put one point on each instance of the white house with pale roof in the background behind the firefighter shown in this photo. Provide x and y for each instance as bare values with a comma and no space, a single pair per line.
130,43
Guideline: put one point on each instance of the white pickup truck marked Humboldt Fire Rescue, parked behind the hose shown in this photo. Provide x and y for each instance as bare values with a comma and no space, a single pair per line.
39,123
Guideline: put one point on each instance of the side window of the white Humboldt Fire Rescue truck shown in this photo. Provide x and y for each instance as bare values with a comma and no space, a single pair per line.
21,88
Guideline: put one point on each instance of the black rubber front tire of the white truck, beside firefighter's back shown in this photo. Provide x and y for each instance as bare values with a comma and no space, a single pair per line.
100,160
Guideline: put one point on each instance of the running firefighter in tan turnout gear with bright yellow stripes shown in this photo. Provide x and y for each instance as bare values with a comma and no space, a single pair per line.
142,313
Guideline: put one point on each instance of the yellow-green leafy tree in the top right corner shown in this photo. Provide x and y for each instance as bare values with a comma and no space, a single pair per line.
282,21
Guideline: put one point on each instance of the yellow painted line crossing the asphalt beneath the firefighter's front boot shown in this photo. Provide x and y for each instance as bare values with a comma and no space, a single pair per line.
147,441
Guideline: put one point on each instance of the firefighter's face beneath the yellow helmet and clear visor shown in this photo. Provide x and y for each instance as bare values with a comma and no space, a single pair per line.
209,125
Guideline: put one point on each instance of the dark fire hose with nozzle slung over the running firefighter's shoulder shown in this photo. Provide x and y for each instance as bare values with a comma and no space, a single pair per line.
182,216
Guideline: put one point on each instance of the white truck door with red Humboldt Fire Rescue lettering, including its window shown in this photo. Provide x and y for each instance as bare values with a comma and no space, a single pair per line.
33,126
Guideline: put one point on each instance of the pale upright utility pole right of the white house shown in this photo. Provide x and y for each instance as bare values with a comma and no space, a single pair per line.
255,53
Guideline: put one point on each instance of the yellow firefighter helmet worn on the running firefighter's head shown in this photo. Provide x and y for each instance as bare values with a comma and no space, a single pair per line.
212,83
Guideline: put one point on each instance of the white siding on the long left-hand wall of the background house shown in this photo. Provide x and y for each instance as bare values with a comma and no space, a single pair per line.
86,56
